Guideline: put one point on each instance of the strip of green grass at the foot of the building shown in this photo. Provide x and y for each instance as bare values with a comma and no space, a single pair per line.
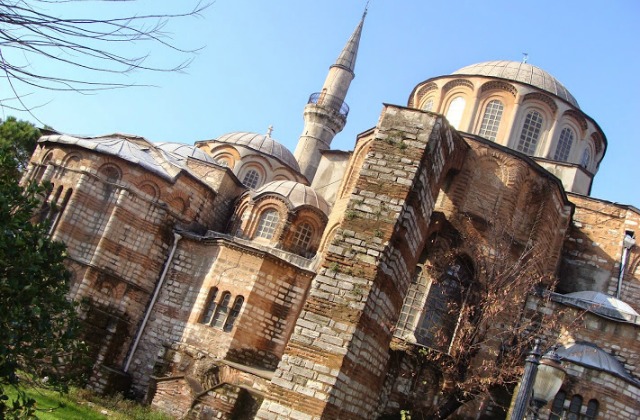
81,404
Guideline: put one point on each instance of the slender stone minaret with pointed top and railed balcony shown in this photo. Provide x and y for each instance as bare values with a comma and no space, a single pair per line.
326,112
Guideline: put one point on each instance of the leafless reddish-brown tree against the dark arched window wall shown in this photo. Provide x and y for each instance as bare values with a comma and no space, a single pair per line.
479,276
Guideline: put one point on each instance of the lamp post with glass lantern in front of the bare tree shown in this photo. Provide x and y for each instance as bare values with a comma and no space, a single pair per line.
541,381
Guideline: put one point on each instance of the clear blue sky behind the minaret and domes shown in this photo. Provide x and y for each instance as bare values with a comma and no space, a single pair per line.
261,59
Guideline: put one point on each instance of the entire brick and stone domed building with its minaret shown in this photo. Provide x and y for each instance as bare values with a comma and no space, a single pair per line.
236,279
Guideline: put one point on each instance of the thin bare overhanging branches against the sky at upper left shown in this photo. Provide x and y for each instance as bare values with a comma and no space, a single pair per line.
32,30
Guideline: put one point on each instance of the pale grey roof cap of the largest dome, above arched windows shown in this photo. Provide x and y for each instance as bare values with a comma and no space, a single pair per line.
520,72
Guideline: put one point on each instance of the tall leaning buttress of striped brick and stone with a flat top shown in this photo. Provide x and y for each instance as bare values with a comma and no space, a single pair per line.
334,363
